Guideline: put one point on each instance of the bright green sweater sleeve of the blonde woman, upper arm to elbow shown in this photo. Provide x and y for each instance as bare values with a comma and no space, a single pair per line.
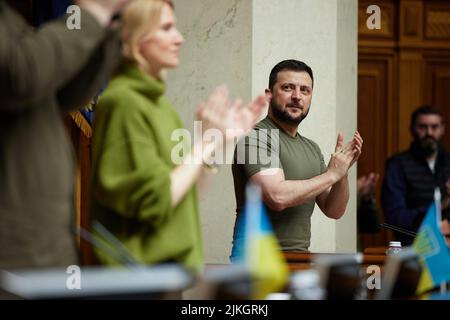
131,178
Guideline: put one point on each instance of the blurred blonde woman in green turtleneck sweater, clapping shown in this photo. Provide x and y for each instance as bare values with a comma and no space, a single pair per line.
140,193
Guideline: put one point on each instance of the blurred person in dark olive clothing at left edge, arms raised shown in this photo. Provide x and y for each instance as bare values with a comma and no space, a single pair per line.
45,72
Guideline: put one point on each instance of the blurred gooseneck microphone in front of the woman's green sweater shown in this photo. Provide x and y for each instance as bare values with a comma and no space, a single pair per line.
120,253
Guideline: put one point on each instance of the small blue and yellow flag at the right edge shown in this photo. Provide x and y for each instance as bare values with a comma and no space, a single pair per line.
434,253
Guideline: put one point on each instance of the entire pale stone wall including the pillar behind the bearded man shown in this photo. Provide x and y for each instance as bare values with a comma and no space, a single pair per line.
238,42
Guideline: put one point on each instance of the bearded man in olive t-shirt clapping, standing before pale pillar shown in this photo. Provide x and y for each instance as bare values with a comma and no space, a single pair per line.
288,167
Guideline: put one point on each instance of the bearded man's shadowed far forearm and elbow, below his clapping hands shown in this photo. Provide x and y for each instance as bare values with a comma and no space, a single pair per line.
337,199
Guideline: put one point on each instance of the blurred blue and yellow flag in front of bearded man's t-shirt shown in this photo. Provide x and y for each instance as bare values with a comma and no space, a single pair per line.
260,249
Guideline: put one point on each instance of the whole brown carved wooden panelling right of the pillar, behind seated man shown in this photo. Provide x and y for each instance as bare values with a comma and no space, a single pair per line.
401,66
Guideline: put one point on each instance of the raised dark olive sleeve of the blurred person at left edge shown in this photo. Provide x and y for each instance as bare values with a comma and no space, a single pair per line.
34,64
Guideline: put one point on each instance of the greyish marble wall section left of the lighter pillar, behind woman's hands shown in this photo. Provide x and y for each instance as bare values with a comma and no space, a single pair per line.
217,50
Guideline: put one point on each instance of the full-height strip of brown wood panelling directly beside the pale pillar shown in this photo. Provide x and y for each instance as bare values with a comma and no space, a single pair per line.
377,100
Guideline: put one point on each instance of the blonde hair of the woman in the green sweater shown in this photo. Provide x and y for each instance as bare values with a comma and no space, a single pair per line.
138,19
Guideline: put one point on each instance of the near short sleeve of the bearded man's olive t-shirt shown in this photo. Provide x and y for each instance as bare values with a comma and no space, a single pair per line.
258,151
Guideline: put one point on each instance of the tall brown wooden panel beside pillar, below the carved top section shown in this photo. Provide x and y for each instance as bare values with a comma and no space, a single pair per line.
376,119
